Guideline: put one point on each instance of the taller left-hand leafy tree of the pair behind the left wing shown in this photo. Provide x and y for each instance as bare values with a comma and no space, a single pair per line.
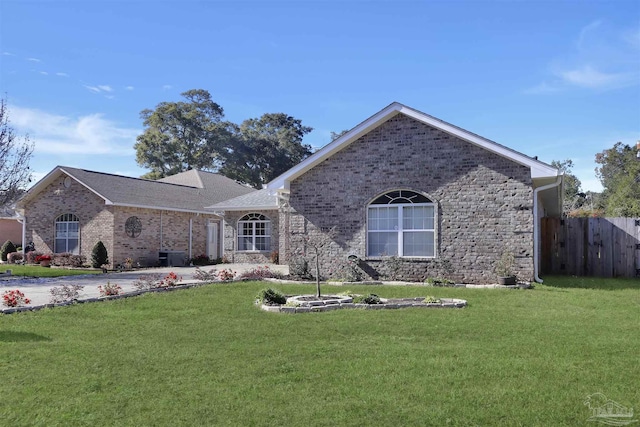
182,135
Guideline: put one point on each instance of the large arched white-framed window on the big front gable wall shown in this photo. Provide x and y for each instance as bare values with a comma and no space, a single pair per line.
401,223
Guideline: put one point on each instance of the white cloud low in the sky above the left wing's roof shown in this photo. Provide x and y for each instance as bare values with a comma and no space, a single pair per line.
91,134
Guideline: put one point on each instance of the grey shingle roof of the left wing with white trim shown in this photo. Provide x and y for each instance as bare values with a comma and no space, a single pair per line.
189,192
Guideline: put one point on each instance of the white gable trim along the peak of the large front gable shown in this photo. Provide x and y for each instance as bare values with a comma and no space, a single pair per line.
538,169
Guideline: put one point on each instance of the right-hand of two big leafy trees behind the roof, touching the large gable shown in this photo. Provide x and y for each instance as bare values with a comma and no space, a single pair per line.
264,148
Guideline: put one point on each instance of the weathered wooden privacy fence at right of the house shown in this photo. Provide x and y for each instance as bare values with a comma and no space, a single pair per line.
603,247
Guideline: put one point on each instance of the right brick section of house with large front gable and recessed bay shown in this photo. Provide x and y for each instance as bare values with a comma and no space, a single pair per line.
409,195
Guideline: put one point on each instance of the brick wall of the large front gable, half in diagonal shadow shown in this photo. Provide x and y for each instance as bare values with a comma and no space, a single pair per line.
484,201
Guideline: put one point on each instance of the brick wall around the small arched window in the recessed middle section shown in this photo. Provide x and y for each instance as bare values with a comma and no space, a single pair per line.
231,237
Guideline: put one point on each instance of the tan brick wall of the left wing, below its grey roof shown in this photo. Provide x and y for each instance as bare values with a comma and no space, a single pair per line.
107,223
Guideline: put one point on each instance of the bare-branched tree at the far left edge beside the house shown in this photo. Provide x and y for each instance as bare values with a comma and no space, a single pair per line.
14,159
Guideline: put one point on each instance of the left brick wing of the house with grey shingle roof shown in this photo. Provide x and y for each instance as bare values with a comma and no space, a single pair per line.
151,222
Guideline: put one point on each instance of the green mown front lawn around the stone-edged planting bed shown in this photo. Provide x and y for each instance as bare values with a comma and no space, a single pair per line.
208,356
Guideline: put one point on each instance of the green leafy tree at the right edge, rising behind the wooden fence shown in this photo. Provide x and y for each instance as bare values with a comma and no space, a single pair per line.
619,174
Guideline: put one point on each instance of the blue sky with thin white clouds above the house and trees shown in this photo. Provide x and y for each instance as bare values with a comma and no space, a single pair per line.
554,79
